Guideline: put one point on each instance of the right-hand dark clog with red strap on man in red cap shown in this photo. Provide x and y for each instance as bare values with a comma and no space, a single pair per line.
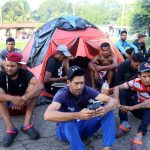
31,132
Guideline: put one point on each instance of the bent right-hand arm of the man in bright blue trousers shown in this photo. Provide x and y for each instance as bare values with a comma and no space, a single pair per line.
111,102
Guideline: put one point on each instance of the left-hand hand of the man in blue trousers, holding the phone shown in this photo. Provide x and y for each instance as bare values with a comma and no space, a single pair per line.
86,114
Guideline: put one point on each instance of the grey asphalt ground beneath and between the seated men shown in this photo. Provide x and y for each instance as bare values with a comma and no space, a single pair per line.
48,140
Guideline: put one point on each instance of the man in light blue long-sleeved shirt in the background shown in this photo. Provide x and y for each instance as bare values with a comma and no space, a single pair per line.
122,45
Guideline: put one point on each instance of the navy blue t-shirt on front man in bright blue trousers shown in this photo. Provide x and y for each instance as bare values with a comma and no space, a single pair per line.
70,103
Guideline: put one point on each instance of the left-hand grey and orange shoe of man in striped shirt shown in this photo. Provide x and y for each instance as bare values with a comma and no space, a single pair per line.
122,130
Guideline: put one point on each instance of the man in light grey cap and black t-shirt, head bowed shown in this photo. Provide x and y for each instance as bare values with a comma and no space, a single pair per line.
55,68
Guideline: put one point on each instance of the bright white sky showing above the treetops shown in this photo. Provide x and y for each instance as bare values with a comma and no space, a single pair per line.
34,4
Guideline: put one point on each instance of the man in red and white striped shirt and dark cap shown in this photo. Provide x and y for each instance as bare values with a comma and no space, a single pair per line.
139,108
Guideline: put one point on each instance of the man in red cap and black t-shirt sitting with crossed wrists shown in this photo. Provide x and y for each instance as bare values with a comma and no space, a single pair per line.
18,91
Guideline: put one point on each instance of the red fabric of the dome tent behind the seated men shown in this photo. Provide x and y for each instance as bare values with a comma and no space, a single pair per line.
85,43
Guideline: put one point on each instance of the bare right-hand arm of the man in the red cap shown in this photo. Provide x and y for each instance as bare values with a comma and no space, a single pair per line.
34,89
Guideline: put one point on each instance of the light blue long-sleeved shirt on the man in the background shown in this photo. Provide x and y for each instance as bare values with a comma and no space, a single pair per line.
121,46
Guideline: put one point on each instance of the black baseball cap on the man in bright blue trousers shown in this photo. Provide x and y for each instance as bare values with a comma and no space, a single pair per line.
73,70
